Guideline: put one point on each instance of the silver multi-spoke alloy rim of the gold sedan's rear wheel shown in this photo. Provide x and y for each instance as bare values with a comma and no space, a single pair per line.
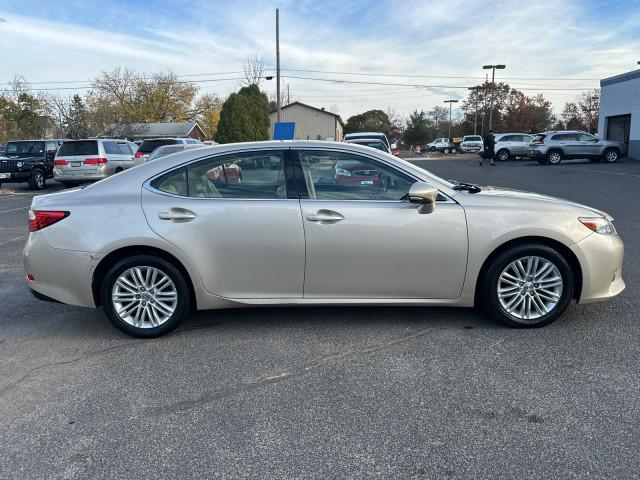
144,297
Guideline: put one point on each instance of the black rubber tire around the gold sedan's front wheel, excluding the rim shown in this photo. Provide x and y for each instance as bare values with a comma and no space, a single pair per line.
490,302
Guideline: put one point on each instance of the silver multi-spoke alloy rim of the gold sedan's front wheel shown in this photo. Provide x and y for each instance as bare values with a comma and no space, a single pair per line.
530,288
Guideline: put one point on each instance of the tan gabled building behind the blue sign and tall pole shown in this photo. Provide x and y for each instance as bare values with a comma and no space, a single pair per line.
311,123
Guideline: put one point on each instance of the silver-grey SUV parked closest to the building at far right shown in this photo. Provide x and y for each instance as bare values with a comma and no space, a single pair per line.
553,147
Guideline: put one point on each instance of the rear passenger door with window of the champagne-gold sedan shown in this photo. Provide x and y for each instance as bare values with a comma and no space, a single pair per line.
233,216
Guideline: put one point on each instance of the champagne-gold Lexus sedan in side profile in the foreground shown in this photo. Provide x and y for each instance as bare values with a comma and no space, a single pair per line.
312,223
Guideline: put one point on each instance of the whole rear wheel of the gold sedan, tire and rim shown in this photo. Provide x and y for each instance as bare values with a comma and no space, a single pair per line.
145,296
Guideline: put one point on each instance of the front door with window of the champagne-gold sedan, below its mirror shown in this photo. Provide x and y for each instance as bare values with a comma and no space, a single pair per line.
364,241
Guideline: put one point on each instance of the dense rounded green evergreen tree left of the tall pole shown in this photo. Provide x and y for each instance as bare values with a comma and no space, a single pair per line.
244,117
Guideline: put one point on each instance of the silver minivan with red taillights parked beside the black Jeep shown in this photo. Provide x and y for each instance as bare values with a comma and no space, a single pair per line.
79,161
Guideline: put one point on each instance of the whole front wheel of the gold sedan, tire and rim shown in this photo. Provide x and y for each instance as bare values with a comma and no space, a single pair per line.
528,286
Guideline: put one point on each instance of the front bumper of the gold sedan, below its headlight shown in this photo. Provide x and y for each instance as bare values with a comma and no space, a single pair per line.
600,258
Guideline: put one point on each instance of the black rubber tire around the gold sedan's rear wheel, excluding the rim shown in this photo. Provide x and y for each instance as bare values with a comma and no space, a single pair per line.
182,307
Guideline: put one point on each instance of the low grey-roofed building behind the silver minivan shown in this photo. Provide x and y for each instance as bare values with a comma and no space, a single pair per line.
142,131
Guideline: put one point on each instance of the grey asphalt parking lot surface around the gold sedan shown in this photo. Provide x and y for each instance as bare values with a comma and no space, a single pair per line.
330,392
